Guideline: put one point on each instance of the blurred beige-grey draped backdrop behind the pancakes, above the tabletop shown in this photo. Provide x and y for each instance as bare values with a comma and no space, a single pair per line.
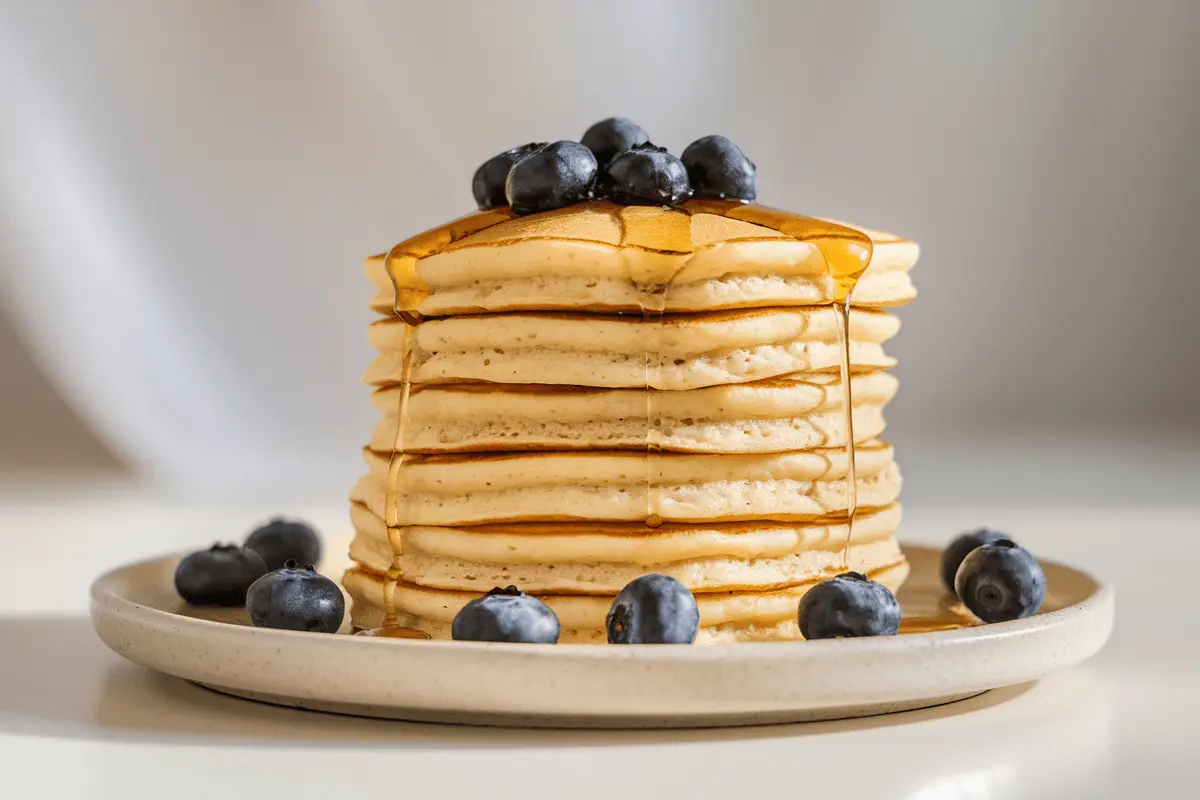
188,191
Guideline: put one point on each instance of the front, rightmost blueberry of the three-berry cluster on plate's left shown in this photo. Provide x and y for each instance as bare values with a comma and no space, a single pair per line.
297,599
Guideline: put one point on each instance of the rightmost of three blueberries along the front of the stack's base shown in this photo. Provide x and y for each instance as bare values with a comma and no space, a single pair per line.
849,605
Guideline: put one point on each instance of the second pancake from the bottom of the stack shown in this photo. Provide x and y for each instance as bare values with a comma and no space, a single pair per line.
598,558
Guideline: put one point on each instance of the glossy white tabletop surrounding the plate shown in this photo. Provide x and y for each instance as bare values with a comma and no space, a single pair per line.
79,721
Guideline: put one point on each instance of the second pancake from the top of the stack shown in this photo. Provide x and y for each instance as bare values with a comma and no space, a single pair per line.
676,353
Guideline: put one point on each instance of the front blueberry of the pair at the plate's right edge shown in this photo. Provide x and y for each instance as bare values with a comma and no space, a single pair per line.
1001,582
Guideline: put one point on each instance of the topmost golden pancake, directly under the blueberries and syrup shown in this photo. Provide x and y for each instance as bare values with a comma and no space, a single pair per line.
599,257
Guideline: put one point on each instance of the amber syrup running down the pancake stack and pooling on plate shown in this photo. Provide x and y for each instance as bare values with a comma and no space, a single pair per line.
664,249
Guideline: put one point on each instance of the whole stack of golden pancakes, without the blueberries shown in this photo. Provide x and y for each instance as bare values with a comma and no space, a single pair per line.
603,392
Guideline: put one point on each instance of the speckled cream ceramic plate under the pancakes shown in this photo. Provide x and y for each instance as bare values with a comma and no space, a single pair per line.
137,613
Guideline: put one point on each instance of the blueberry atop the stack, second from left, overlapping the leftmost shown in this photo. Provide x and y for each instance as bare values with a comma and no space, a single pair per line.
553,177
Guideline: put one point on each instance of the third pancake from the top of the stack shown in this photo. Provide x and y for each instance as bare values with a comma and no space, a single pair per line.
767,417
